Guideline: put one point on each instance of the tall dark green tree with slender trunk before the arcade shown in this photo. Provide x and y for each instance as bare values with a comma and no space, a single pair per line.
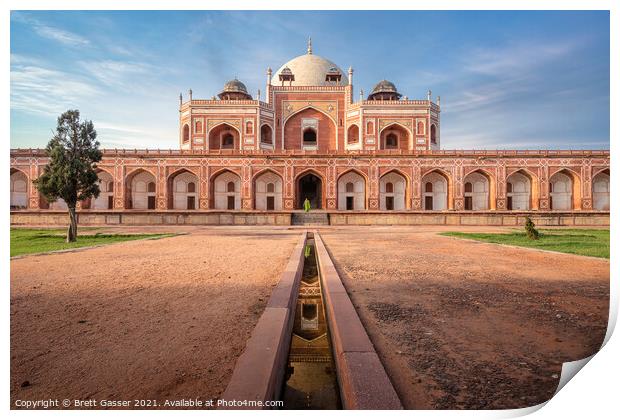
70,174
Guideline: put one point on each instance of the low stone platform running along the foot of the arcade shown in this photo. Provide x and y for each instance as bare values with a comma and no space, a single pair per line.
339,218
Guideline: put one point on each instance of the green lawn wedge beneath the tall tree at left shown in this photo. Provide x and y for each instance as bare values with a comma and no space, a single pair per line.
31,241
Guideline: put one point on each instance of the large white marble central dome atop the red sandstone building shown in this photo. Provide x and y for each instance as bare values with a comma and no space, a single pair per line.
309,70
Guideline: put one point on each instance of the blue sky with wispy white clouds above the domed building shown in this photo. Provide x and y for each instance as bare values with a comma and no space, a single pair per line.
518,79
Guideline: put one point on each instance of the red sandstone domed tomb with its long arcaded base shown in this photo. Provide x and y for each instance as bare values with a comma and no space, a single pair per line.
374,160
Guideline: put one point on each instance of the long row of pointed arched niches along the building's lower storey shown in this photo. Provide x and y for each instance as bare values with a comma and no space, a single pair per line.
478,190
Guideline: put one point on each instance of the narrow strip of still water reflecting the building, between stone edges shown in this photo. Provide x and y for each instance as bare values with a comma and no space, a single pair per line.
311,376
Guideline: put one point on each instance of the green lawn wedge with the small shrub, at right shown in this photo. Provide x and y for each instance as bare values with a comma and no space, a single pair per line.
589,242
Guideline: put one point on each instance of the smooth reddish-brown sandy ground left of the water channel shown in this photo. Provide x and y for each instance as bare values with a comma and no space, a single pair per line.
157,319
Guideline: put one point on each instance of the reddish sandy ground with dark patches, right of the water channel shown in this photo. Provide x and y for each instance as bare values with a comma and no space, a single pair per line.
460,324
